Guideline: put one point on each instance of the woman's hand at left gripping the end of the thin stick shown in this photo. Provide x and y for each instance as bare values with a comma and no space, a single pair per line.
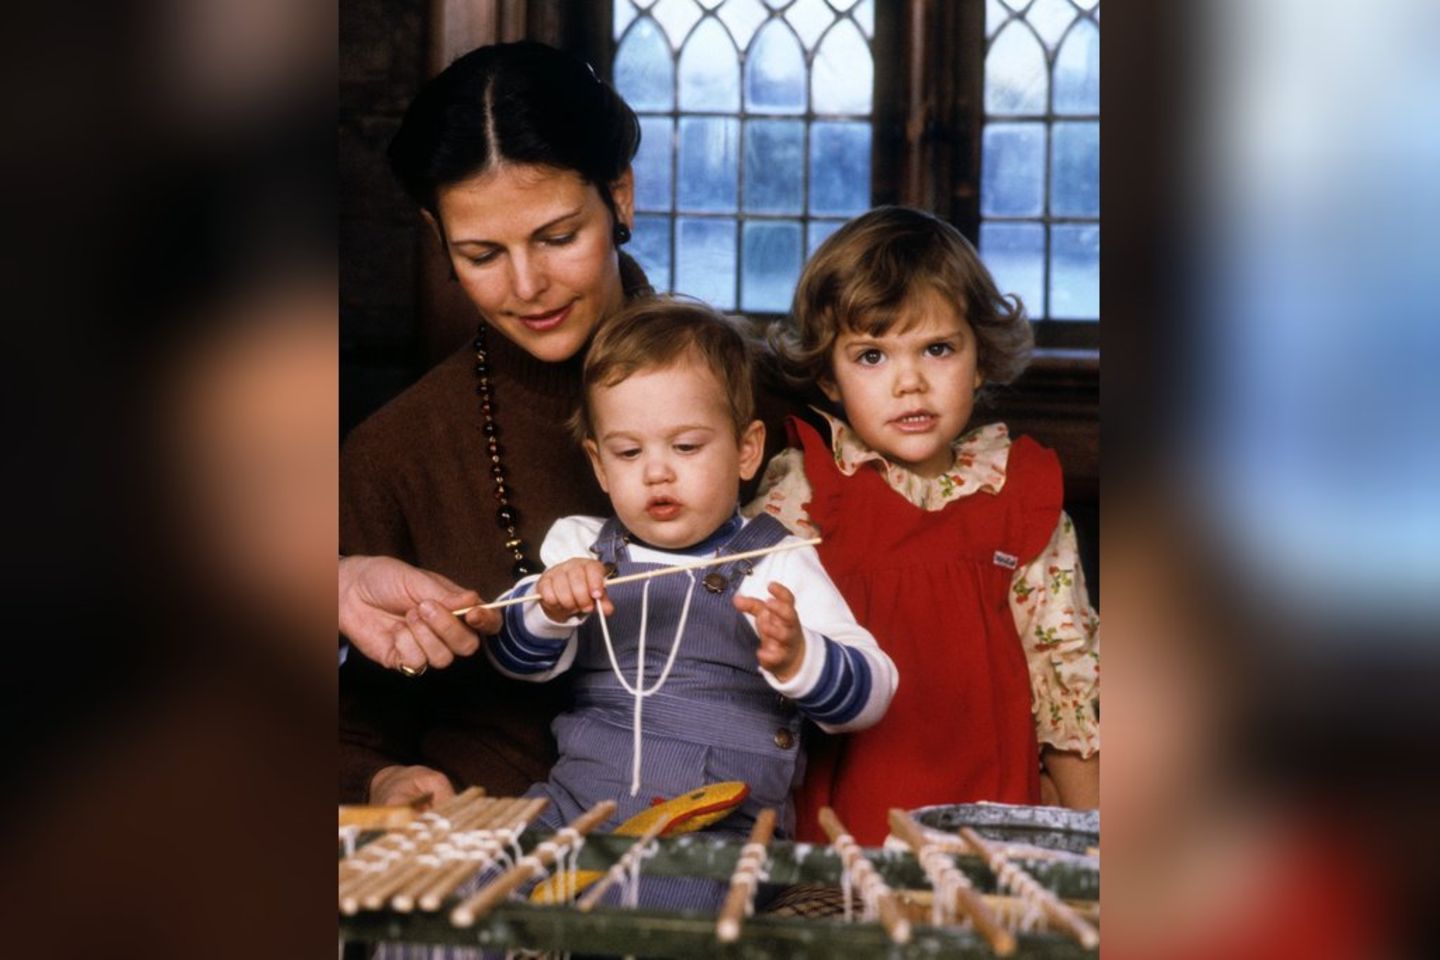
401,617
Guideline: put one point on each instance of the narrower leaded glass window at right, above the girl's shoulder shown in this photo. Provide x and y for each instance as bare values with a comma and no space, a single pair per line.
1040,155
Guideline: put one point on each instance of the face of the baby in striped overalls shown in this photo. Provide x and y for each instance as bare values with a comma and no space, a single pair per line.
666,453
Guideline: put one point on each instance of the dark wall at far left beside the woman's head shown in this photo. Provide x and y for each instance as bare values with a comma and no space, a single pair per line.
382,64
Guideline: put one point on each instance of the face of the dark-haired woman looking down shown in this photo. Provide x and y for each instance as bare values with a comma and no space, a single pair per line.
534,248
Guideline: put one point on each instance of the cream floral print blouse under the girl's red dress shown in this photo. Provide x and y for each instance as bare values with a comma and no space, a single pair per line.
1049,601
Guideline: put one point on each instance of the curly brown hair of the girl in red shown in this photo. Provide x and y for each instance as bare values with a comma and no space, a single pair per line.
865,274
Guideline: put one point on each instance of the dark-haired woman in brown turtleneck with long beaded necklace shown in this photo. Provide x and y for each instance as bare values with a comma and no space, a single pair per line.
521,160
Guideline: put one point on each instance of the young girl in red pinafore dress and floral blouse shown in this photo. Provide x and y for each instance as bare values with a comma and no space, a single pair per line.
950,543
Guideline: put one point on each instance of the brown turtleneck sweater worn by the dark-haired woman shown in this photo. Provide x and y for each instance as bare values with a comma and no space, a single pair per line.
415,484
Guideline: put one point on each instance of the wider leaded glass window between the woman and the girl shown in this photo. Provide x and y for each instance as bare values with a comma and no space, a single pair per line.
757,120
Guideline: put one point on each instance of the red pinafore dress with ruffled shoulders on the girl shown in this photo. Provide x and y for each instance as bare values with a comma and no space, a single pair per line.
934,588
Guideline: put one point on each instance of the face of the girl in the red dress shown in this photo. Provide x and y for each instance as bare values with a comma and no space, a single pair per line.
909,394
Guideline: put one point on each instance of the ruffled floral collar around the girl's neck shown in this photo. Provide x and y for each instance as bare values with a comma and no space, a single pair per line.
980,464
